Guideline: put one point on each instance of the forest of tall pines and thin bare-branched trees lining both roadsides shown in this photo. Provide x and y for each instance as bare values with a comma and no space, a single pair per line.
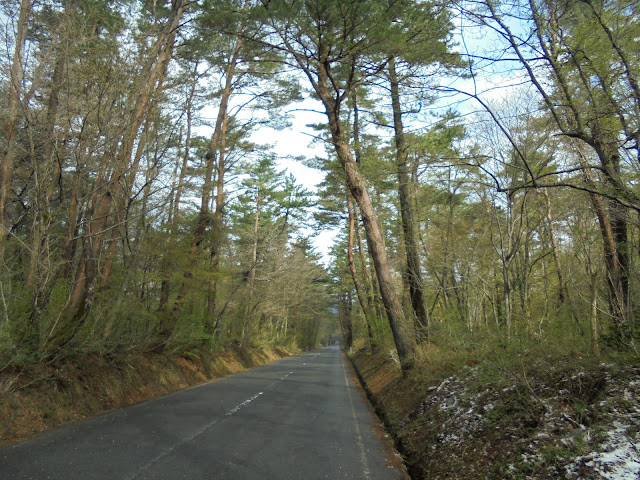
480,164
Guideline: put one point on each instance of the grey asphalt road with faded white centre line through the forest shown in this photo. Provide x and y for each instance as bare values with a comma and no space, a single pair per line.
299,418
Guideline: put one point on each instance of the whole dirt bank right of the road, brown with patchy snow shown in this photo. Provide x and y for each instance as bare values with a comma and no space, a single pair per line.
534,420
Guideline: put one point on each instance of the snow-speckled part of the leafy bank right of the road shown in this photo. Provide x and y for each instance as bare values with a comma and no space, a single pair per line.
572,425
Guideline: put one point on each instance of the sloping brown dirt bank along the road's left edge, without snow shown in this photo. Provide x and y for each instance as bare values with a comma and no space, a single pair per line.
35,398
